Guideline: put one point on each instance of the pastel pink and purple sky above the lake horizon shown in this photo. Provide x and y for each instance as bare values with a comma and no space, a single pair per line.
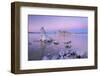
55,23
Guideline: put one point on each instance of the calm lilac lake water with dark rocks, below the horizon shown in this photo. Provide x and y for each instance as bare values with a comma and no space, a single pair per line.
38,50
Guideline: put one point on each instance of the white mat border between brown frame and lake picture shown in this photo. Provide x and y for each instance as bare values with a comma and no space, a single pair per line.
25,64
